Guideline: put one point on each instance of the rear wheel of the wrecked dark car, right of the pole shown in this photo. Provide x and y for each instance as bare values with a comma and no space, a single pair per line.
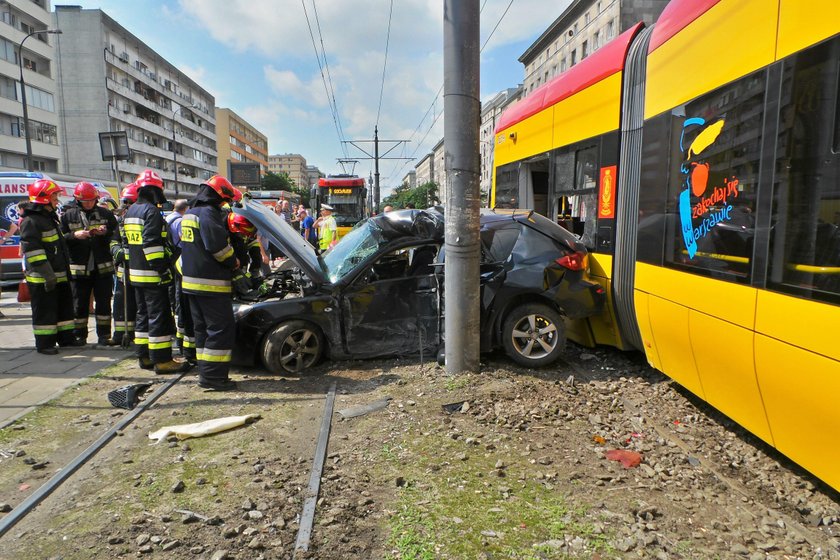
534,335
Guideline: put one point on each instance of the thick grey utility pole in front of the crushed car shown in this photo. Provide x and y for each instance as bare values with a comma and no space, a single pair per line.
462,118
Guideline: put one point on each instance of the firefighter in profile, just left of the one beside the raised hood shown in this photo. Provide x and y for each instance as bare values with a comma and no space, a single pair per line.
150,274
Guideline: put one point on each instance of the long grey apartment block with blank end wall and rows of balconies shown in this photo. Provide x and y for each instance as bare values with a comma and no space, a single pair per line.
111,81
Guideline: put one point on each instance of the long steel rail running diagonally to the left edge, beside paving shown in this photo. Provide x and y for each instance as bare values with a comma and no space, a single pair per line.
25,507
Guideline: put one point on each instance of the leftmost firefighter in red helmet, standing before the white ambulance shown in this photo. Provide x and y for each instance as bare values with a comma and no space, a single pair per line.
47,272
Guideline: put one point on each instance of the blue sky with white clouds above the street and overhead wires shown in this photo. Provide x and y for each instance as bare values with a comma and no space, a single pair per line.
257,58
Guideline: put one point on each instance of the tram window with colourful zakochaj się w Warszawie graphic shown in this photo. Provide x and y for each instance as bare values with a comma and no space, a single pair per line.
715,148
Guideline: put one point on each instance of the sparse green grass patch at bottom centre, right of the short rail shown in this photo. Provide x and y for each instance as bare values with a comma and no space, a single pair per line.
456,504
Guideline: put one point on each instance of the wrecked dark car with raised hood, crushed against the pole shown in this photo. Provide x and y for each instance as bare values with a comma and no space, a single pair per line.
379,291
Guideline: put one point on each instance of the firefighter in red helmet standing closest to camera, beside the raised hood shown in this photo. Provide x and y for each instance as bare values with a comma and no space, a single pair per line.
207,264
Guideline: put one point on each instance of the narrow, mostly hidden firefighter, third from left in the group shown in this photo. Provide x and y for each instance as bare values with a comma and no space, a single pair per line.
125,306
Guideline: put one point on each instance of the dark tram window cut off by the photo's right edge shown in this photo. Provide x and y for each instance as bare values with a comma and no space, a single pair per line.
805,235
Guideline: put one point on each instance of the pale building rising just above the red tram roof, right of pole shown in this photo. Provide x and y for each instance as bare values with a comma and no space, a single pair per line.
583,28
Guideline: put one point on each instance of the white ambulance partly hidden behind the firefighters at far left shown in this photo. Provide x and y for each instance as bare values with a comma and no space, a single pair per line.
13,189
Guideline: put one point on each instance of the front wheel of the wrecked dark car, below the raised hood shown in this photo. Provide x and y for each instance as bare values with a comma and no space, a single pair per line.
292,347
